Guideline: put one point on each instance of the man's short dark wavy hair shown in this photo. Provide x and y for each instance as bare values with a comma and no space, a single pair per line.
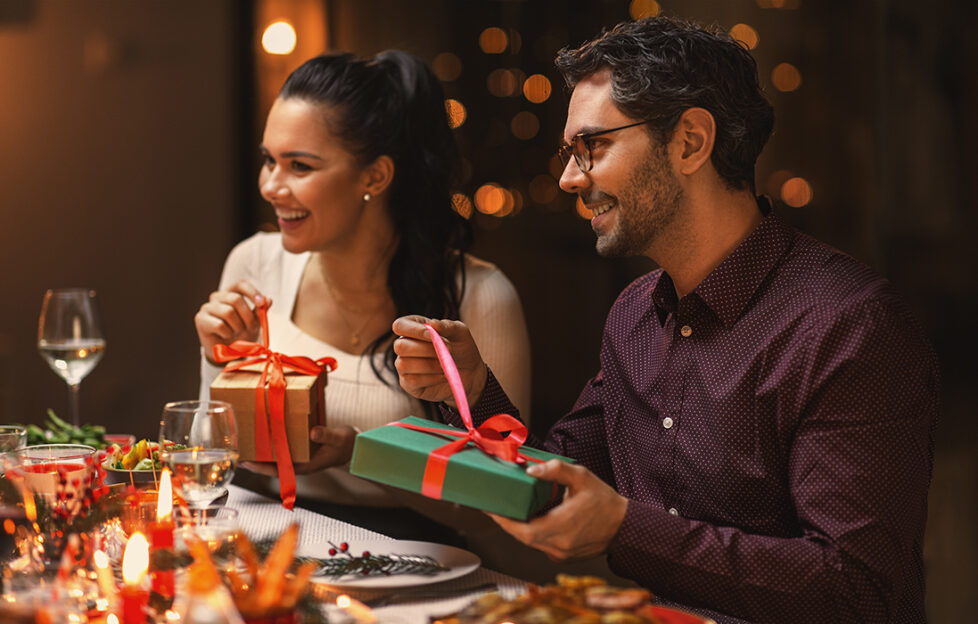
662,66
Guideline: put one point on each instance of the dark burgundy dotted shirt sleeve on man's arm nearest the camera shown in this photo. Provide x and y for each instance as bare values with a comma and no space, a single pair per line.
858,468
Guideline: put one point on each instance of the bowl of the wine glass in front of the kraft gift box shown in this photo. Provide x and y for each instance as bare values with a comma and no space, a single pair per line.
199,444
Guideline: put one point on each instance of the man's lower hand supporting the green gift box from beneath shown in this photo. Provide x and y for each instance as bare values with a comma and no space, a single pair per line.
582,525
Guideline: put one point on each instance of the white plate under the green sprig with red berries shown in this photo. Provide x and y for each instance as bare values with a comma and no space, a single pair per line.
459,562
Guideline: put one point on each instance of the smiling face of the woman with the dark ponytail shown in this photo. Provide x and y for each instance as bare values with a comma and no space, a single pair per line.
314,184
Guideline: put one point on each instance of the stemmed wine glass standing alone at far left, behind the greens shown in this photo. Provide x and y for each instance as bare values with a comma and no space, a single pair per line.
69,337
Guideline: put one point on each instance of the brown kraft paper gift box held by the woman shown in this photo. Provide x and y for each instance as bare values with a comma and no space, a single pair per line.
303,409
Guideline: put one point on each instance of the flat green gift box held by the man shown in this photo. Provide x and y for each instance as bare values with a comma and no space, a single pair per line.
397,456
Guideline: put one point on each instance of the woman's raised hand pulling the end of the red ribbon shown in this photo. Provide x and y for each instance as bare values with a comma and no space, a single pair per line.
229,315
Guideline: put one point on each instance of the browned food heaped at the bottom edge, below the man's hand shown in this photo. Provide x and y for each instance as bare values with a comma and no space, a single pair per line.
577,600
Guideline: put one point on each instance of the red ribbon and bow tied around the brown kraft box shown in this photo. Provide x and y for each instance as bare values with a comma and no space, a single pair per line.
272,375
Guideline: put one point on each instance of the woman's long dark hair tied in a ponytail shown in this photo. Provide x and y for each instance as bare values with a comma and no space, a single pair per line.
392,104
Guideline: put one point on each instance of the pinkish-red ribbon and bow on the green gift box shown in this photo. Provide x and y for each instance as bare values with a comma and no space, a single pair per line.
489,436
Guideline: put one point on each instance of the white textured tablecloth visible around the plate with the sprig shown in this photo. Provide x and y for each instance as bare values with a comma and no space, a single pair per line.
261,517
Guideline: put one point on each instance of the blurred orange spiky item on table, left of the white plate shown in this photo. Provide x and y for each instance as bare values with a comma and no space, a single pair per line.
265,589
